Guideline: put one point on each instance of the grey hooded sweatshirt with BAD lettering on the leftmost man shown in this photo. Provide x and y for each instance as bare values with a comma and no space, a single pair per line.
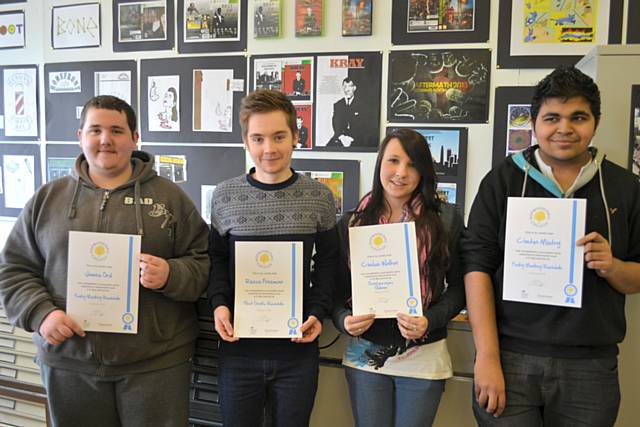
33,267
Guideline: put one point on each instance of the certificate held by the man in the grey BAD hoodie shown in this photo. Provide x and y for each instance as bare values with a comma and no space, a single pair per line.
103,281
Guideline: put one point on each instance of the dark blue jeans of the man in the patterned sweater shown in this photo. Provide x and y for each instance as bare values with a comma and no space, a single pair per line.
246,382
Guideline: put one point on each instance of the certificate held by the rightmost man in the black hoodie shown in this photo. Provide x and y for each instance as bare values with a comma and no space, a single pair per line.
542,263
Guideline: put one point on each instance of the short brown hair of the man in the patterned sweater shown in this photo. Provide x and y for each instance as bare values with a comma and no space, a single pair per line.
266,101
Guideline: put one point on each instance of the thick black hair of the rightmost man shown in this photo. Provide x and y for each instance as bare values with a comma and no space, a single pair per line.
566,82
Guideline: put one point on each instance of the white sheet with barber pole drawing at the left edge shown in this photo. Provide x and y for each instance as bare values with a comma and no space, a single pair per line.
19,111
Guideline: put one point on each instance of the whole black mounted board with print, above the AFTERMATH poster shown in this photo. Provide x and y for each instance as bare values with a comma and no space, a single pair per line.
439,21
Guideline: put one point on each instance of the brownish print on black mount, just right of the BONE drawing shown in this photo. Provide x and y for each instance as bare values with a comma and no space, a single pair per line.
142,21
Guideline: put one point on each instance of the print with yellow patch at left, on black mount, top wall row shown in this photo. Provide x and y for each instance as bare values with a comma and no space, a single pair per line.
211,20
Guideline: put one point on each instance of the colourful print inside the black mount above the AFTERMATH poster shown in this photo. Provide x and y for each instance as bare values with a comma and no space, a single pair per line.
440,15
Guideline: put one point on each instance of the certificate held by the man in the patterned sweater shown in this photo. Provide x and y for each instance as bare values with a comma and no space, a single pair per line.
268,290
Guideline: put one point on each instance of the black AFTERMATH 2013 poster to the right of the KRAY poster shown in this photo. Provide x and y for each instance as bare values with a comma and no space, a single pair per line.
439,86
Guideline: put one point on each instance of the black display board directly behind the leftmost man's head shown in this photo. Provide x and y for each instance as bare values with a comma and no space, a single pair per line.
63,105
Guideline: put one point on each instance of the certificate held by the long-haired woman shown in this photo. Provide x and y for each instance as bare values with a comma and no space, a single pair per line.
384,270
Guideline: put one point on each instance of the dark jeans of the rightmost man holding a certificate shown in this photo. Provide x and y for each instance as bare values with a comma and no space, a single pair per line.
547,391
